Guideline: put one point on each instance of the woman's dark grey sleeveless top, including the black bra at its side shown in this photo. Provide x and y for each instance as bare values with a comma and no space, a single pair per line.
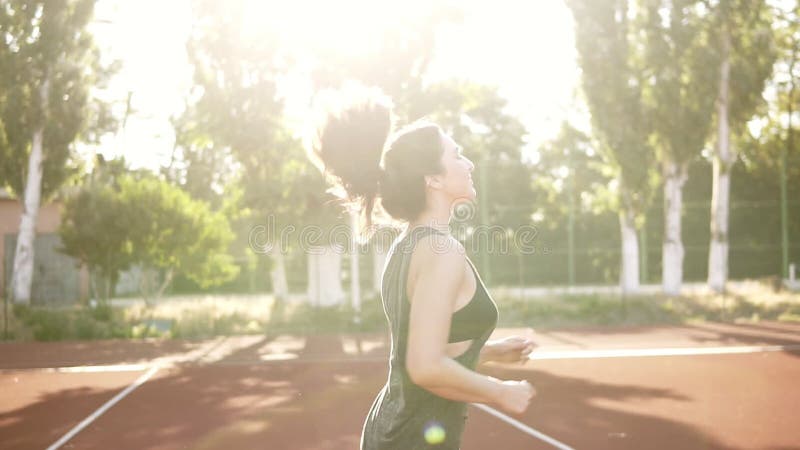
403,411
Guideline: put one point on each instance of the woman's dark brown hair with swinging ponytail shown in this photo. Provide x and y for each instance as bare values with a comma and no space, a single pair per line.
367,166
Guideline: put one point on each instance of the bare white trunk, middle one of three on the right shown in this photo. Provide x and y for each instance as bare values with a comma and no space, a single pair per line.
675,176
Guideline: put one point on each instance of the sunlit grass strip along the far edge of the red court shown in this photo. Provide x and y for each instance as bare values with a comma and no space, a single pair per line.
191,317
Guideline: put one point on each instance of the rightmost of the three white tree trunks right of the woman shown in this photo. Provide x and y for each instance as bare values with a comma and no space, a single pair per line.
720,196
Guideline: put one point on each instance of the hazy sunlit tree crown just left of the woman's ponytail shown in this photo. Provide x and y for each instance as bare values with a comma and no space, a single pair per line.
232,140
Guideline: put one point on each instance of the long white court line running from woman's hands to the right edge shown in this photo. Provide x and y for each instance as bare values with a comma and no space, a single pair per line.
642,352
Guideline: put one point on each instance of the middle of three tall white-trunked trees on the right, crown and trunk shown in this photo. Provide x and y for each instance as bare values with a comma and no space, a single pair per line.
679,95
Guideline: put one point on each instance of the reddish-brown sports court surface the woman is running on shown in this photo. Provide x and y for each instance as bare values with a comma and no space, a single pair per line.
243,393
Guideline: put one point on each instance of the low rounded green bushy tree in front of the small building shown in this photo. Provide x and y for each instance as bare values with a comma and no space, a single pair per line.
140,220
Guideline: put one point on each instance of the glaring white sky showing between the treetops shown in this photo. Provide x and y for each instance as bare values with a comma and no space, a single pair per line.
524,48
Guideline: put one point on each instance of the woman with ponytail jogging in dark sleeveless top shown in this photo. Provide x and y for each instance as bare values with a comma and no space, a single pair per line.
439,312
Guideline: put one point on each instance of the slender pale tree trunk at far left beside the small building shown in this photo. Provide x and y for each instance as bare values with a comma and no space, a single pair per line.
22,274
